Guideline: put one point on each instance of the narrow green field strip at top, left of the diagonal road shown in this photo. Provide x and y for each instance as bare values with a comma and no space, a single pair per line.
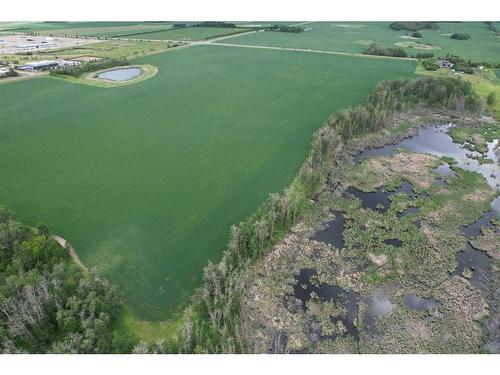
189,33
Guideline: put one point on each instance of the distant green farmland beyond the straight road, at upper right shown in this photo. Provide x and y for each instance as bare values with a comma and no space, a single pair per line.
355,37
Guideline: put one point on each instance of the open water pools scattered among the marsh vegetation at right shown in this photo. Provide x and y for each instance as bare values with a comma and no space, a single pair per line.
433,140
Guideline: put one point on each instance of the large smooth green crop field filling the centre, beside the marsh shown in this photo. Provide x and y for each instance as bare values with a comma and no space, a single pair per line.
145,180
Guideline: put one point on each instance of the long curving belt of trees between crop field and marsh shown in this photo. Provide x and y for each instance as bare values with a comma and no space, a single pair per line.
214,321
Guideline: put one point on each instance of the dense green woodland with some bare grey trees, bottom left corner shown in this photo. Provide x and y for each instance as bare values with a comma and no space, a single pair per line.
47,303
